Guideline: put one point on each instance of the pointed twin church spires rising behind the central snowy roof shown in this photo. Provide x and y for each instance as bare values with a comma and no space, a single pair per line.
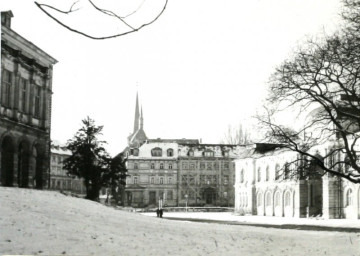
138,136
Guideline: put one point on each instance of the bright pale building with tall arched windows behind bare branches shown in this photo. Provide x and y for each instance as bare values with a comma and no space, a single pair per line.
263,187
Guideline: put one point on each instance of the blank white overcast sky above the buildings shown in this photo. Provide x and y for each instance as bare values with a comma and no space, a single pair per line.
201,67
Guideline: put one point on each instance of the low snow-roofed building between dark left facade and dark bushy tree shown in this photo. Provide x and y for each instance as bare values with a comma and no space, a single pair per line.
59,179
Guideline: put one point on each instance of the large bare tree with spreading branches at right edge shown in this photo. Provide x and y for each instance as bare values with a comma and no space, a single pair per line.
323,80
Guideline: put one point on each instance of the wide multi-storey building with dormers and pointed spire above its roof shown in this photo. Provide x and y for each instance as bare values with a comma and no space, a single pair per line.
177,172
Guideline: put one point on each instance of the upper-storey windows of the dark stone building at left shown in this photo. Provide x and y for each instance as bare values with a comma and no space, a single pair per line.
27,94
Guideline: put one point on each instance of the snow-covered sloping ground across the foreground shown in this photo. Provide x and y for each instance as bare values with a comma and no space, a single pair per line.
49,223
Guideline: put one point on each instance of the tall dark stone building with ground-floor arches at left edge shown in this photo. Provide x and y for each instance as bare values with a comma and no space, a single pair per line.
25,110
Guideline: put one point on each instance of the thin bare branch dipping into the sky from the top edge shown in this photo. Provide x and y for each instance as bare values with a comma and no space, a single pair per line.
57,15
